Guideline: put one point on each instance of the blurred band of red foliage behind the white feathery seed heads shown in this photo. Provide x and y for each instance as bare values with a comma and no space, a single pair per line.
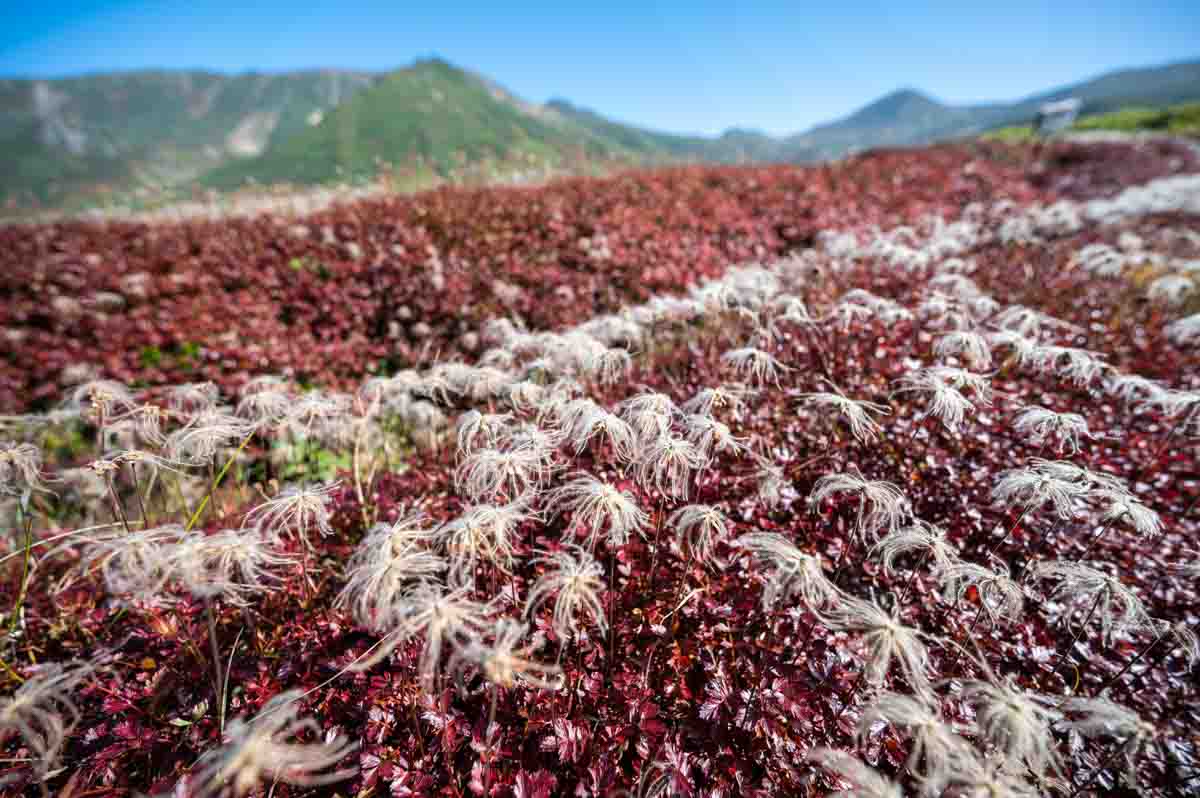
380,284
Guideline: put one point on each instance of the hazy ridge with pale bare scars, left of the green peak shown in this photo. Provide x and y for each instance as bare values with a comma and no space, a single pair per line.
121,131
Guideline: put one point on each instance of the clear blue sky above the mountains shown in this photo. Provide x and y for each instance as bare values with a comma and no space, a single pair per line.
687,67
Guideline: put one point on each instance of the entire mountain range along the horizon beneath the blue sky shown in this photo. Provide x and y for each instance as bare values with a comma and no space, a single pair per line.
85,139
